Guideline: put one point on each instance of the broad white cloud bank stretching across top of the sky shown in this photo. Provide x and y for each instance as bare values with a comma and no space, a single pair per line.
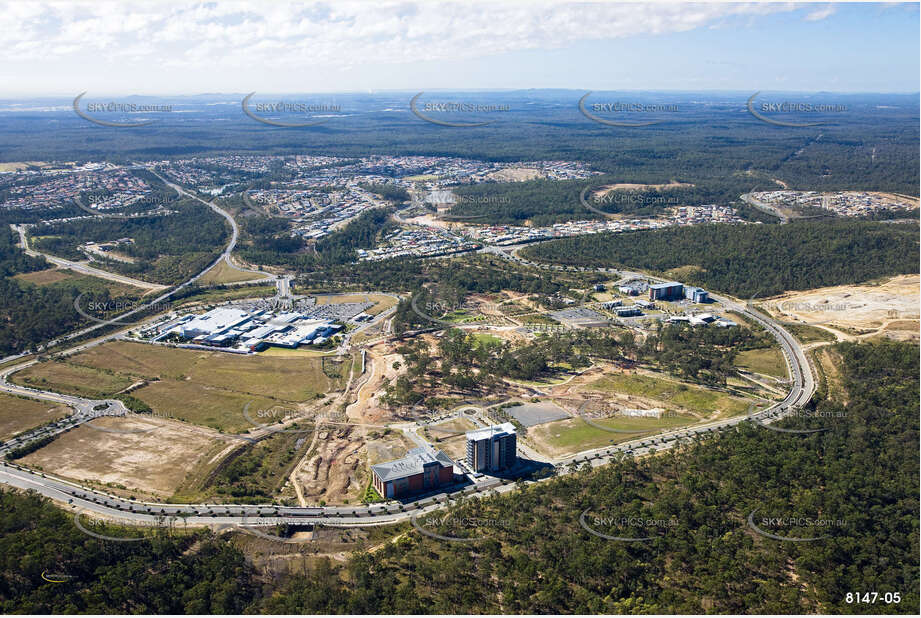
196,36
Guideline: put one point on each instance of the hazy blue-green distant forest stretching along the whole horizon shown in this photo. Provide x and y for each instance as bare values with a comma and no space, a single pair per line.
873,147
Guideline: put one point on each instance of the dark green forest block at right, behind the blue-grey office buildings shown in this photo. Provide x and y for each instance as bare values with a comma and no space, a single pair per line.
751,260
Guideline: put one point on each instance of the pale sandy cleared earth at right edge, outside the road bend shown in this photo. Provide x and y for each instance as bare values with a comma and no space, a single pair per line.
889,308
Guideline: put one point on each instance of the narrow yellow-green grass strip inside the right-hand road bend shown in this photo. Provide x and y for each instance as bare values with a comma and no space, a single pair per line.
675,394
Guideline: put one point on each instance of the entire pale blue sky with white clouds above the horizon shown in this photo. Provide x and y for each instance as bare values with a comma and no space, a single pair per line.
179,47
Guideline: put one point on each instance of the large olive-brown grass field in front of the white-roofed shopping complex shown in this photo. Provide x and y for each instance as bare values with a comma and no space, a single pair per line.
201,387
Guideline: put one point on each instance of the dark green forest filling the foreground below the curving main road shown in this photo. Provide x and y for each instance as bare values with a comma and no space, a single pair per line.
853,487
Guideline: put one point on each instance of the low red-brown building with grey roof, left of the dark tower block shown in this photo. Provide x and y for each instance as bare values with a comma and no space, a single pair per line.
422,469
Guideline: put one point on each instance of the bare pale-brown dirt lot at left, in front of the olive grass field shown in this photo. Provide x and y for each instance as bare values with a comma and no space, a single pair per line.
154,462
